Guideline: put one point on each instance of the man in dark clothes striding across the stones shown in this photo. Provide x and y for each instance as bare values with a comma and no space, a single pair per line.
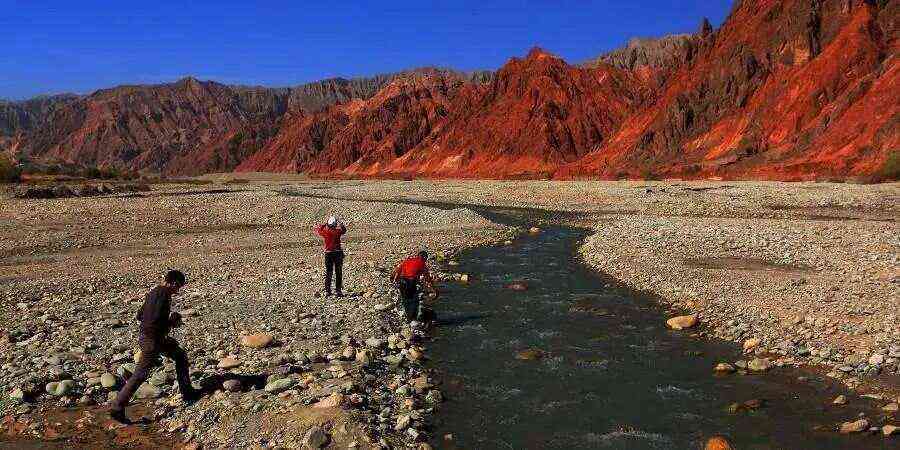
156,320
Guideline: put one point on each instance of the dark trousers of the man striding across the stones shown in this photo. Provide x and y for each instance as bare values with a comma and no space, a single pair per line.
151,350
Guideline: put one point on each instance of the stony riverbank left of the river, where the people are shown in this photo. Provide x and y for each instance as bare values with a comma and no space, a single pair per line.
340,370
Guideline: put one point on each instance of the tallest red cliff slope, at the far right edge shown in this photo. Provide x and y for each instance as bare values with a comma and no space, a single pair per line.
784,90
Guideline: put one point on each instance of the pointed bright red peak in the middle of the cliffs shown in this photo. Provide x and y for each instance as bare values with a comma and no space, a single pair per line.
539,112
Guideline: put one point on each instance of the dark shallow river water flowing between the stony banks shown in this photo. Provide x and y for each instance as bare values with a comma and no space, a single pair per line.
612,376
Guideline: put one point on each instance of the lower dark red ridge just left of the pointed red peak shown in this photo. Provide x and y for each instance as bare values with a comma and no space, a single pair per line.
364,134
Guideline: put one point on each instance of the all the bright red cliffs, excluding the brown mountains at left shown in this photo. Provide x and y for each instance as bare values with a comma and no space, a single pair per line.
784,90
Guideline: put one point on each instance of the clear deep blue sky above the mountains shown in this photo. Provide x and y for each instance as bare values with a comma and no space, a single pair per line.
80,46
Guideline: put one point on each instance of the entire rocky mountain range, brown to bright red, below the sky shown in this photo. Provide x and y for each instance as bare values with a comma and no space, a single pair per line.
784,89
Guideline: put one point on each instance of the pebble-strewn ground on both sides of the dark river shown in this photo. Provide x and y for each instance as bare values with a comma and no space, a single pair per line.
807,273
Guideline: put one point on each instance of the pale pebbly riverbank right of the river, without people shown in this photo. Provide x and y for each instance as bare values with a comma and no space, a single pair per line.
807,269
